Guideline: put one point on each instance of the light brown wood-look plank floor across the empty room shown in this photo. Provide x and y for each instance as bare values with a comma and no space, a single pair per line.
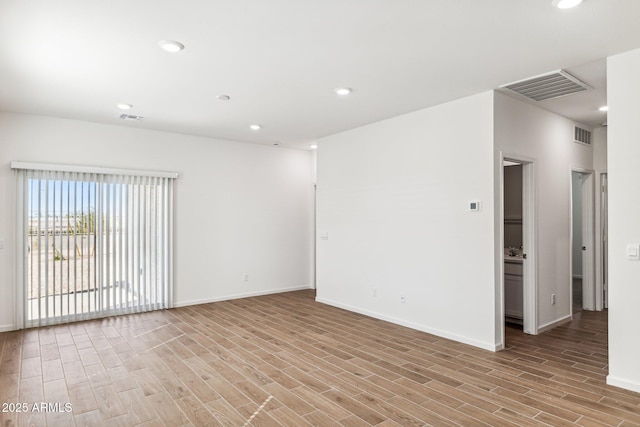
287,360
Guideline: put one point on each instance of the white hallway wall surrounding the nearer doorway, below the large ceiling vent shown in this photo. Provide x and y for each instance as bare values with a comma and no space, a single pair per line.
547,139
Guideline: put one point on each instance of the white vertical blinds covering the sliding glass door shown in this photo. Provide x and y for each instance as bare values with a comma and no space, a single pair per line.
93,242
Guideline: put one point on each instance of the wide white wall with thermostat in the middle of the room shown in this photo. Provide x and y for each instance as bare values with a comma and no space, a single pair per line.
393,197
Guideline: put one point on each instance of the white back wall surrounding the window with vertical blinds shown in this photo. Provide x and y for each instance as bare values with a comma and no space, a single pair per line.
240,208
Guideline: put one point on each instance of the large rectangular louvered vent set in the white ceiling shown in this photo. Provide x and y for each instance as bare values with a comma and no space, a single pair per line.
548,86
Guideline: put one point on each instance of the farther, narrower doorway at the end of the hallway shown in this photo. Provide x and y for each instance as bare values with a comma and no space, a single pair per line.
582,280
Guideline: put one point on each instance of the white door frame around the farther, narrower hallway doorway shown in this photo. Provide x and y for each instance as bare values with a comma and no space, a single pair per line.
588,239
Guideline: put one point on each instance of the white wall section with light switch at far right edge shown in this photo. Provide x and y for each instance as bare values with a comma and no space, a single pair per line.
623,91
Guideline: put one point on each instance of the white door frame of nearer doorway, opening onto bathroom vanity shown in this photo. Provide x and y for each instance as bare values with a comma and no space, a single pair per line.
529,243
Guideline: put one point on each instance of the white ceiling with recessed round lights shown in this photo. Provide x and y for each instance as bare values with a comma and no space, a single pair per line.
279,60
